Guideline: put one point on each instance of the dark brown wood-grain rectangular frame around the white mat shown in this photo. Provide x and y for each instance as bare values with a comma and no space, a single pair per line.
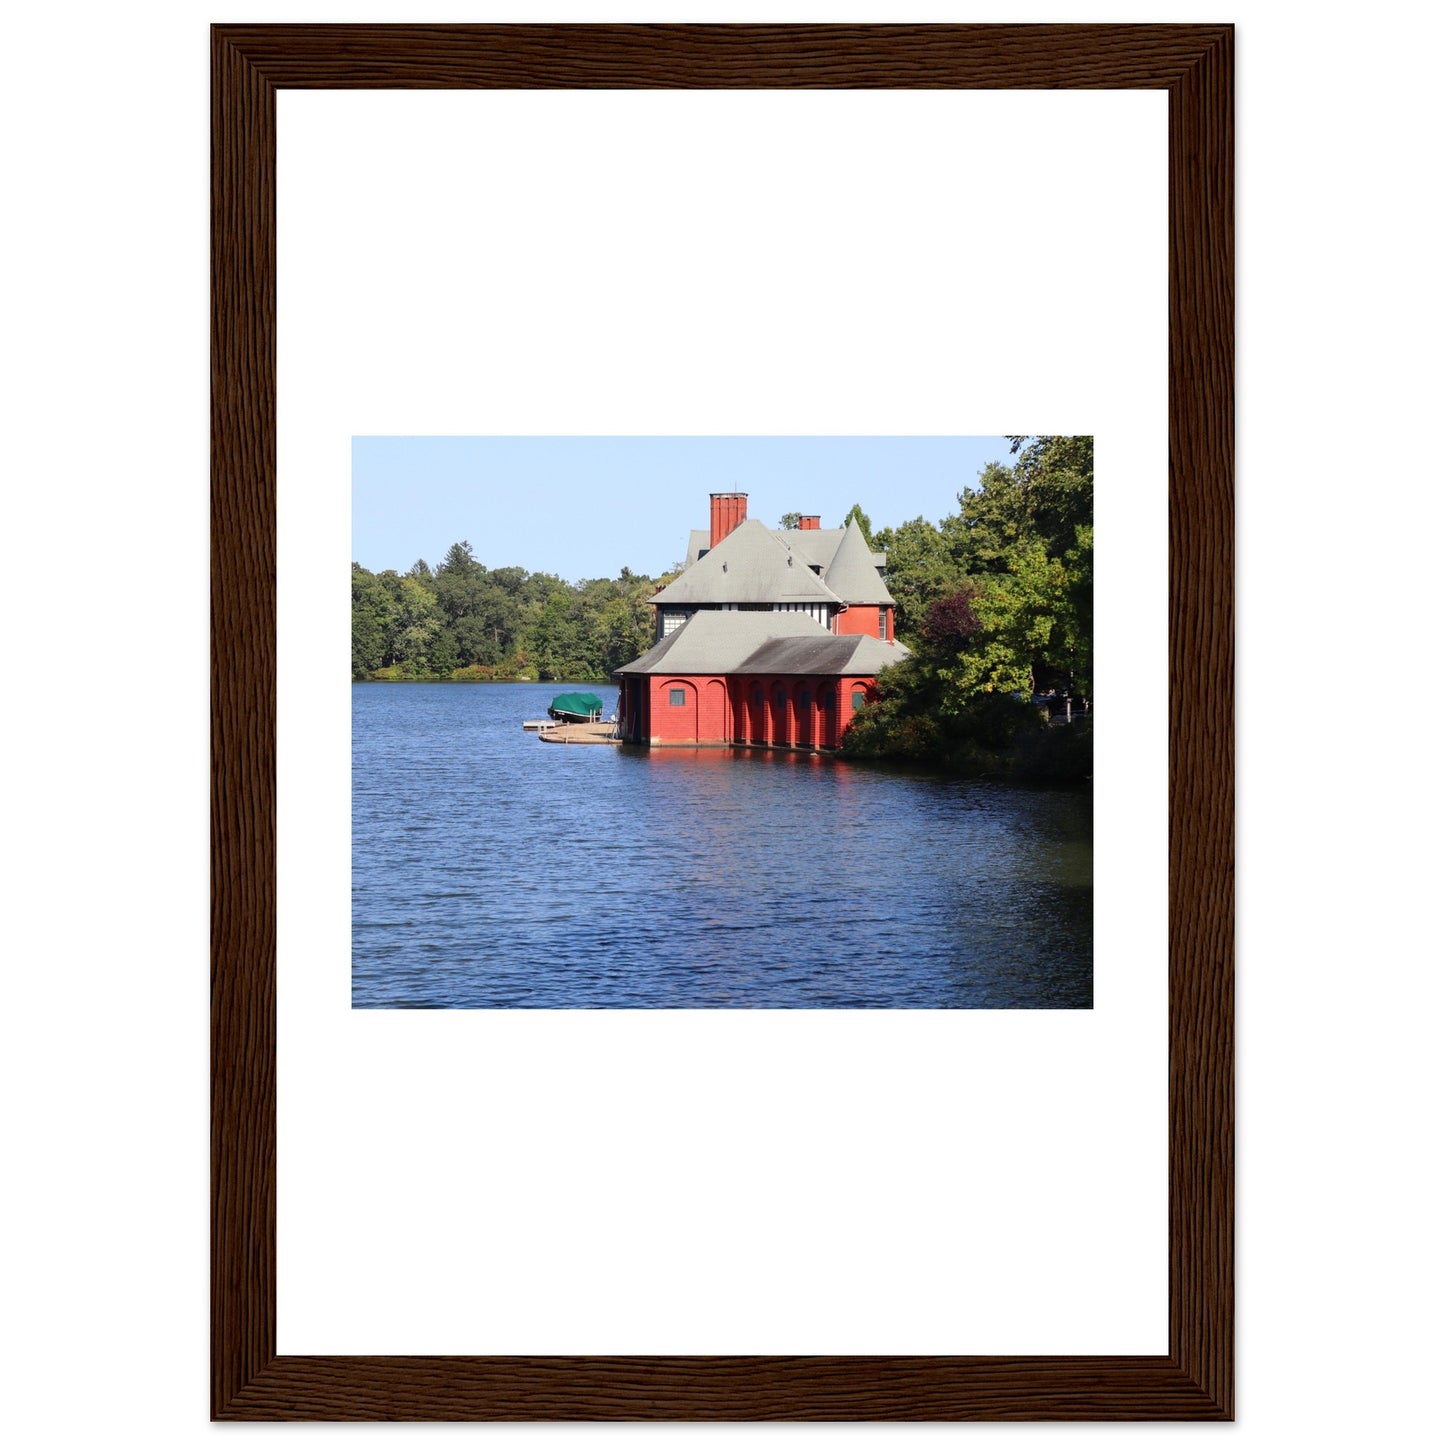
251,1382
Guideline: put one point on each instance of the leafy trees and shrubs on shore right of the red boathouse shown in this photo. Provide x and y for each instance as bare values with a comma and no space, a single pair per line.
996,603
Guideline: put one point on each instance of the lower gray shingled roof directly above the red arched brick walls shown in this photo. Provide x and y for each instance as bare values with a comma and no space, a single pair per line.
790,644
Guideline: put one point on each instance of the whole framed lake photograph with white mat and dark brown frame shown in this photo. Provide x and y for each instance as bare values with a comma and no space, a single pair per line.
606,1131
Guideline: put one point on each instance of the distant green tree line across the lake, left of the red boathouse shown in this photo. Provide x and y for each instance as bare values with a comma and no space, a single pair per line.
465,622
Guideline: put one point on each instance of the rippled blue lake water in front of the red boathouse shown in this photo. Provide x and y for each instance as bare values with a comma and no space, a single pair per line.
492,871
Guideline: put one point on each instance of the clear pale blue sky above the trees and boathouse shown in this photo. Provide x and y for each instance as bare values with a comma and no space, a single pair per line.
589,506
